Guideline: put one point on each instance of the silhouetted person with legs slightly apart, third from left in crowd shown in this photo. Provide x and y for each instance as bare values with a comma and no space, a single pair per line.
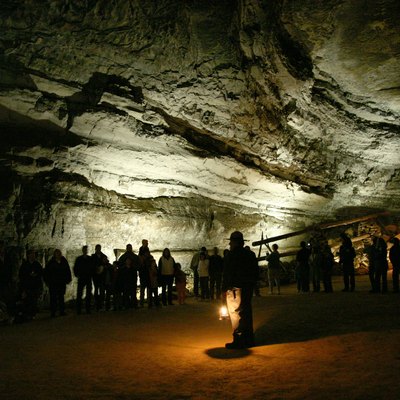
83,270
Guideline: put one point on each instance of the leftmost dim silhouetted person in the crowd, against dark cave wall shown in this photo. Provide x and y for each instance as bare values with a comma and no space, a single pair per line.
30,284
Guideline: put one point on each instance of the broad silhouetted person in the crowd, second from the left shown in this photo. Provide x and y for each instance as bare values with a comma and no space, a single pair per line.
57,275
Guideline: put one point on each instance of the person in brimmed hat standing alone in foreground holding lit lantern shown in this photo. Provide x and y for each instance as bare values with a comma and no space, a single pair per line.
238,281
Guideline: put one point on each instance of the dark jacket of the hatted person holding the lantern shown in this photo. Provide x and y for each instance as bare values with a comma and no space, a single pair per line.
240,269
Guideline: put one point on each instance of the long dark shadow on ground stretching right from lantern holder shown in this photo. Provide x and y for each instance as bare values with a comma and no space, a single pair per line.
314,316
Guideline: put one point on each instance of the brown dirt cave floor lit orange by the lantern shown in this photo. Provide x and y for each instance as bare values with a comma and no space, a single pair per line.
309,346
